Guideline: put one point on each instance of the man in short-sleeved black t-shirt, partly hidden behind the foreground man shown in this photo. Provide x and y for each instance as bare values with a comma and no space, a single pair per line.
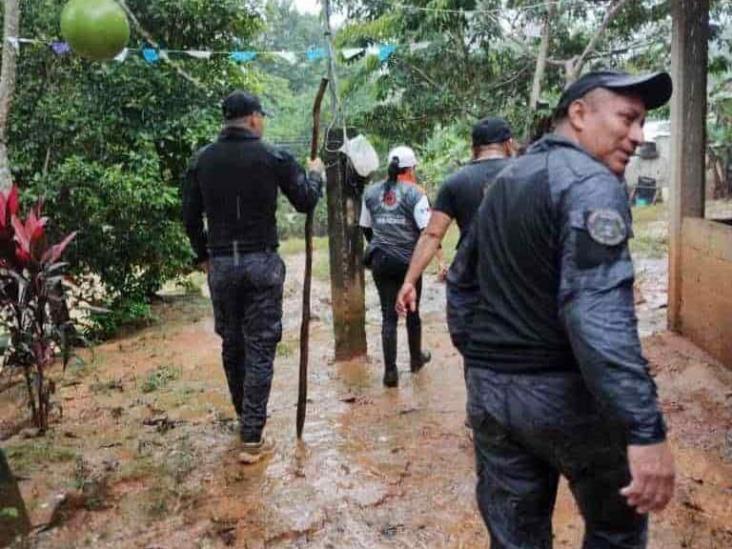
458,199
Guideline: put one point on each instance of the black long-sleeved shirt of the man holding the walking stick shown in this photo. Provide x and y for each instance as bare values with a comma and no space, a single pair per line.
235,182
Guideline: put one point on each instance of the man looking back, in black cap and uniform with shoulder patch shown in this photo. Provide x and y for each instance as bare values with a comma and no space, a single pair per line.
557,383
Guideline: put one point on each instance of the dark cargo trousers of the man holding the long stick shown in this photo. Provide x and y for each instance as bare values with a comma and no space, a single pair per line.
246,292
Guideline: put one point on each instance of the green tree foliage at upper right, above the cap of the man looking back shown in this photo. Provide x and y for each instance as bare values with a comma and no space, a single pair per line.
469,64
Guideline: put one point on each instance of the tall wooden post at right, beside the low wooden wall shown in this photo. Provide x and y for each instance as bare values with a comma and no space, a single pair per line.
689,59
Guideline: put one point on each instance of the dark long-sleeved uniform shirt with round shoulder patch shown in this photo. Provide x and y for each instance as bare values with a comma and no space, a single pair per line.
556,281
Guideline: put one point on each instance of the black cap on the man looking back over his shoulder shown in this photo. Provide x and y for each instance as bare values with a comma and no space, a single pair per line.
654,89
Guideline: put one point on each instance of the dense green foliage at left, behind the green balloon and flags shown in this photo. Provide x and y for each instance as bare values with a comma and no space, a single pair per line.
107,144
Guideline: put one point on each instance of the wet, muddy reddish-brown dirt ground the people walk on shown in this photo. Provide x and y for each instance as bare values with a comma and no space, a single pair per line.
145,455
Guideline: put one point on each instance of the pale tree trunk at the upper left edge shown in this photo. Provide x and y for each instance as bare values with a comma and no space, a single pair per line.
7,84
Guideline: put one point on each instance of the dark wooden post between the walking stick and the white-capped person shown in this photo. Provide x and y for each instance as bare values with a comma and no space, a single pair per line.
345,243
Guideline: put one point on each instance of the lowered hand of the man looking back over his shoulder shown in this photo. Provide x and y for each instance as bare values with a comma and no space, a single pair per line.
652,473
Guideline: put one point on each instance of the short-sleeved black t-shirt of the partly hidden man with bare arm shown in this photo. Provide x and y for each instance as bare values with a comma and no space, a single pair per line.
461,193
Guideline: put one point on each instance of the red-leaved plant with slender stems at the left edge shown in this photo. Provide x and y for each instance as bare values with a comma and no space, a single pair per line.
31,276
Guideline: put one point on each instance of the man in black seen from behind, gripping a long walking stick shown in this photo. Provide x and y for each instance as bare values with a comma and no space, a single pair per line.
234,183
